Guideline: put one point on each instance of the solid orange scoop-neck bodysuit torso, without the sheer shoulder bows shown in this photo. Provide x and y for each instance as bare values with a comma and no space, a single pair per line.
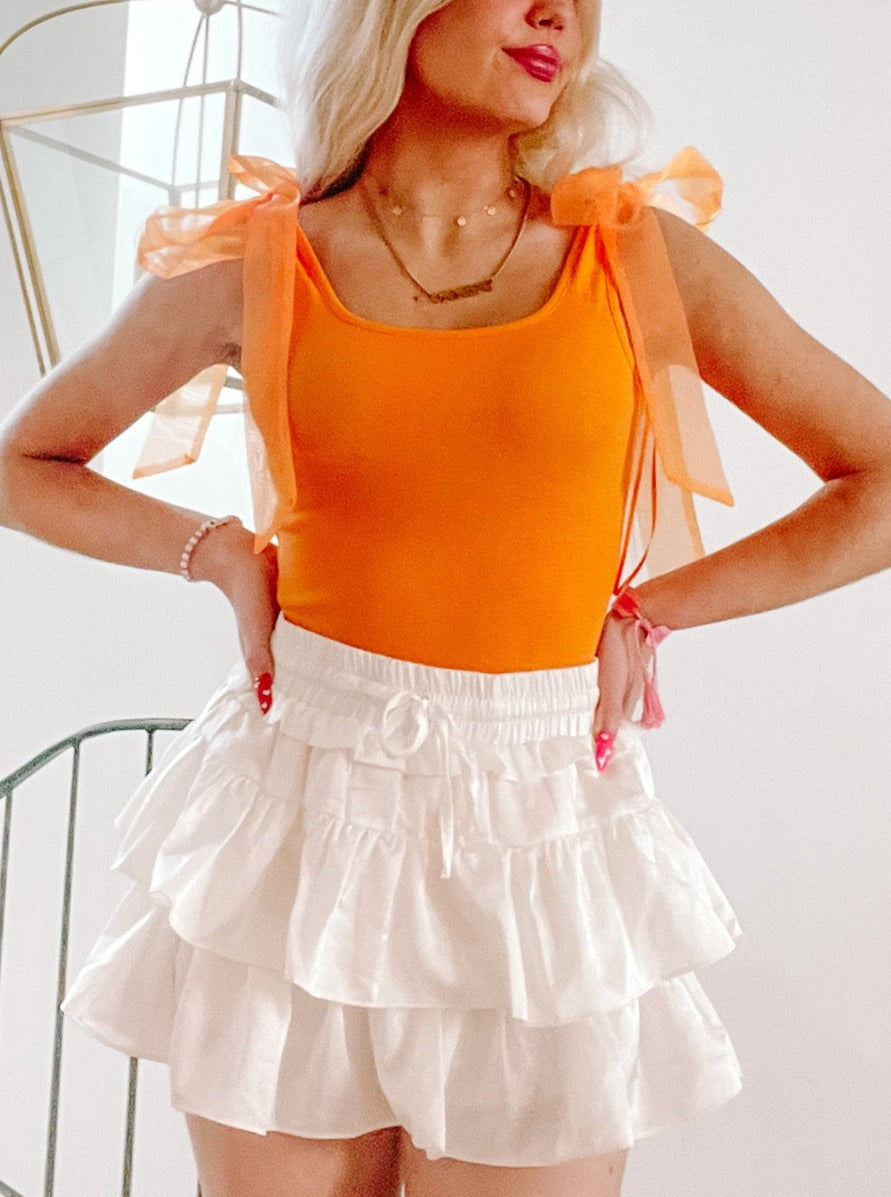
460,494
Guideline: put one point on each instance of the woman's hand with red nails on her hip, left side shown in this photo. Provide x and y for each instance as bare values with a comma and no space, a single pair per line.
250,582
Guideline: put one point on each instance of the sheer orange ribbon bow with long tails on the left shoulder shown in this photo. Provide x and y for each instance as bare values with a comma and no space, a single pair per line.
263,232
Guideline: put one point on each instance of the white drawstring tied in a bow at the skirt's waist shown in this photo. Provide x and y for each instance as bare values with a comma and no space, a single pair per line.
431,716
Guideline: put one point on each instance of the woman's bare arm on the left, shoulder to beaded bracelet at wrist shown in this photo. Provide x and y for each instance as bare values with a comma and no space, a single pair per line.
160,338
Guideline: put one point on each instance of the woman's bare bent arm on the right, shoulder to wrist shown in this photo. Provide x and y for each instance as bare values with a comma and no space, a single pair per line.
751,351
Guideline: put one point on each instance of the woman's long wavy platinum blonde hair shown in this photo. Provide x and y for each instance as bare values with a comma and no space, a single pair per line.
343,64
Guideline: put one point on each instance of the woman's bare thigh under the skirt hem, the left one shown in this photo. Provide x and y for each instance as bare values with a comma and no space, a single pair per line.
234,1163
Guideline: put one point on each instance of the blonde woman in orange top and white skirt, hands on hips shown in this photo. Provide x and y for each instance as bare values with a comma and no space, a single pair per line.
405,909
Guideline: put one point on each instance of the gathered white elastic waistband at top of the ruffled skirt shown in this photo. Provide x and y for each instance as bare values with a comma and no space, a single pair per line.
343,667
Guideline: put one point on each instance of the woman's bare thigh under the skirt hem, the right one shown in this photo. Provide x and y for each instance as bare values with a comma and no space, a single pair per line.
599,1176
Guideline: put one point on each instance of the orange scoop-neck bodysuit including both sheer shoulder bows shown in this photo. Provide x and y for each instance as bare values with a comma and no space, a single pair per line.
462,499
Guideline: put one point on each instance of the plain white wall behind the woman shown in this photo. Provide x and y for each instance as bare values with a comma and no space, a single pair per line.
777,752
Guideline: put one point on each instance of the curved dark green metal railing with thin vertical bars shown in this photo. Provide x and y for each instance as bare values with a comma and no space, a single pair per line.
9,787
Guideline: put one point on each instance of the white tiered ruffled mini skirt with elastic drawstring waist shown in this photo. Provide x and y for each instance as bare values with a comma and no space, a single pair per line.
408,897
